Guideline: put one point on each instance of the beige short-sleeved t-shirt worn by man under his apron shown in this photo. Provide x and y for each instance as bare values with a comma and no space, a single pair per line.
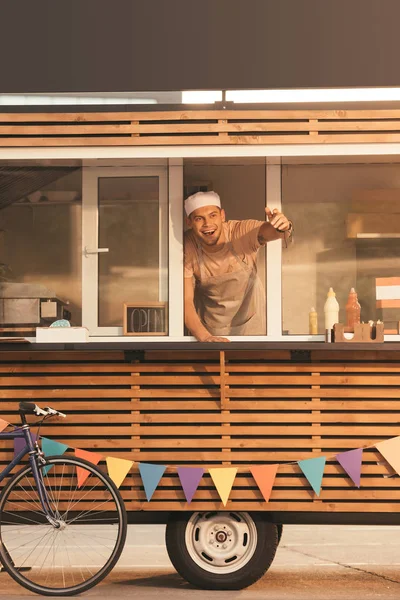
244,238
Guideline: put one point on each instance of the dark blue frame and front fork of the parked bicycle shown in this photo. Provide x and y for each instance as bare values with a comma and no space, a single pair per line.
29,448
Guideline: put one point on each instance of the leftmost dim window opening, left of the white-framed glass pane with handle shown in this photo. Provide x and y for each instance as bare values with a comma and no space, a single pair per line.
40,245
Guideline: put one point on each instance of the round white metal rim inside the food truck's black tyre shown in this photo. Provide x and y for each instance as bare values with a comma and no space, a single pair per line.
221,542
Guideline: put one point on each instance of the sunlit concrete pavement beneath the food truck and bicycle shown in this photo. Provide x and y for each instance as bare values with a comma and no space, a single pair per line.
319,562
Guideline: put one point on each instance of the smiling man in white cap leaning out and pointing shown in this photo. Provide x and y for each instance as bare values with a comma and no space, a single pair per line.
223,293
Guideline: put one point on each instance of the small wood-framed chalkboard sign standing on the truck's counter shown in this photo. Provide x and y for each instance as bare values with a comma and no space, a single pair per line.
147,318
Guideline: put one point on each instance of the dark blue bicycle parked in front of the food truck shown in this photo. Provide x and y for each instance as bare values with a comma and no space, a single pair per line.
57,538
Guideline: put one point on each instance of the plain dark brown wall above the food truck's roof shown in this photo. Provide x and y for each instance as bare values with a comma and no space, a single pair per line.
155,45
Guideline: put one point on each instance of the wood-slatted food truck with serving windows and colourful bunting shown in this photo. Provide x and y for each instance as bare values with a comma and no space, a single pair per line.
91,232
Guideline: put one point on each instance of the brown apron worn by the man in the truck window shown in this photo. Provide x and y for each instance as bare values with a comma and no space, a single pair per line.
233,303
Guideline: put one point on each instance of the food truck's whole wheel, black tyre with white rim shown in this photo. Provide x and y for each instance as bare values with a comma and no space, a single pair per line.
221,550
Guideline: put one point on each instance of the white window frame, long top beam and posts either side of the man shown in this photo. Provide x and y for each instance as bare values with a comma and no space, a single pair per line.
178,153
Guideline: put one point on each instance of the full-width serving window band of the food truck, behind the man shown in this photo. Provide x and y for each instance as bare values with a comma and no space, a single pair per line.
100,242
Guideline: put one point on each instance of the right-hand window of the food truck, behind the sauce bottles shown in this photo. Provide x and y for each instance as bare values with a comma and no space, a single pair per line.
346,212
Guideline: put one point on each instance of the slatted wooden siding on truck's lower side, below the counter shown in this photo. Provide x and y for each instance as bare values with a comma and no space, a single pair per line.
204,409
